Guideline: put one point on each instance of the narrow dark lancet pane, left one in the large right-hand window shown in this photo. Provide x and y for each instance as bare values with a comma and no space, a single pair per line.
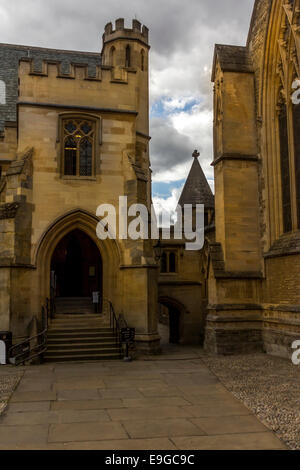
285,169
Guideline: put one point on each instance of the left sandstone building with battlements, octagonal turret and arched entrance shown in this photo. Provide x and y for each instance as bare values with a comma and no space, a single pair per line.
74,134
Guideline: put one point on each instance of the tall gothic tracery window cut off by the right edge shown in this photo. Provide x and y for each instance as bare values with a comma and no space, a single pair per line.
285,69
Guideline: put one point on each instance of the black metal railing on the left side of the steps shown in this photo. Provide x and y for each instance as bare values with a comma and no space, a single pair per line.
33,347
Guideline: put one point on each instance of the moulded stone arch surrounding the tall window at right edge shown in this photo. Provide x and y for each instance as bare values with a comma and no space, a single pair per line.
281,65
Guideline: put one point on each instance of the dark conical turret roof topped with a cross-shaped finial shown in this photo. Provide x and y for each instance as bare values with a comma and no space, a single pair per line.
196,189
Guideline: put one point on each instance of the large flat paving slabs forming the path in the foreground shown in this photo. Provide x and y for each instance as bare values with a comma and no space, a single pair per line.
157,404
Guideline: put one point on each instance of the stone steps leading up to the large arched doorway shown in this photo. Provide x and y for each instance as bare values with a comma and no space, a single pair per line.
80,337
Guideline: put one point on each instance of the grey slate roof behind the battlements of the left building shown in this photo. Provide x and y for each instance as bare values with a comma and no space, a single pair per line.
10,55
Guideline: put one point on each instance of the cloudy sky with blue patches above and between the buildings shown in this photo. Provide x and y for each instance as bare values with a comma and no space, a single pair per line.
182,36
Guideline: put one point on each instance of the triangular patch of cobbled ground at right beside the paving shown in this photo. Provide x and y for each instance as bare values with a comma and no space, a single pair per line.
269,386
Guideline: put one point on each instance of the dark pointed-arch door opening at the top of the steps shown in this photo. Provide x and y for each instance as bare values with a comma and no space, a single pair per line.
76,266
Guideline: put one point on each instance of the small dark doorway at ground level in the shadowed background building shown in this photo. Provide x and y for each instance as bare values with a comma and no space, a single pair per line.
169,324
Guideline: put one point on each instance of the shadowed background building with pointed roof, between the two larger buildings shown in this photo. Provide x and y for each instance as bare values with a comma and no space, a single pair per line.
183,280
